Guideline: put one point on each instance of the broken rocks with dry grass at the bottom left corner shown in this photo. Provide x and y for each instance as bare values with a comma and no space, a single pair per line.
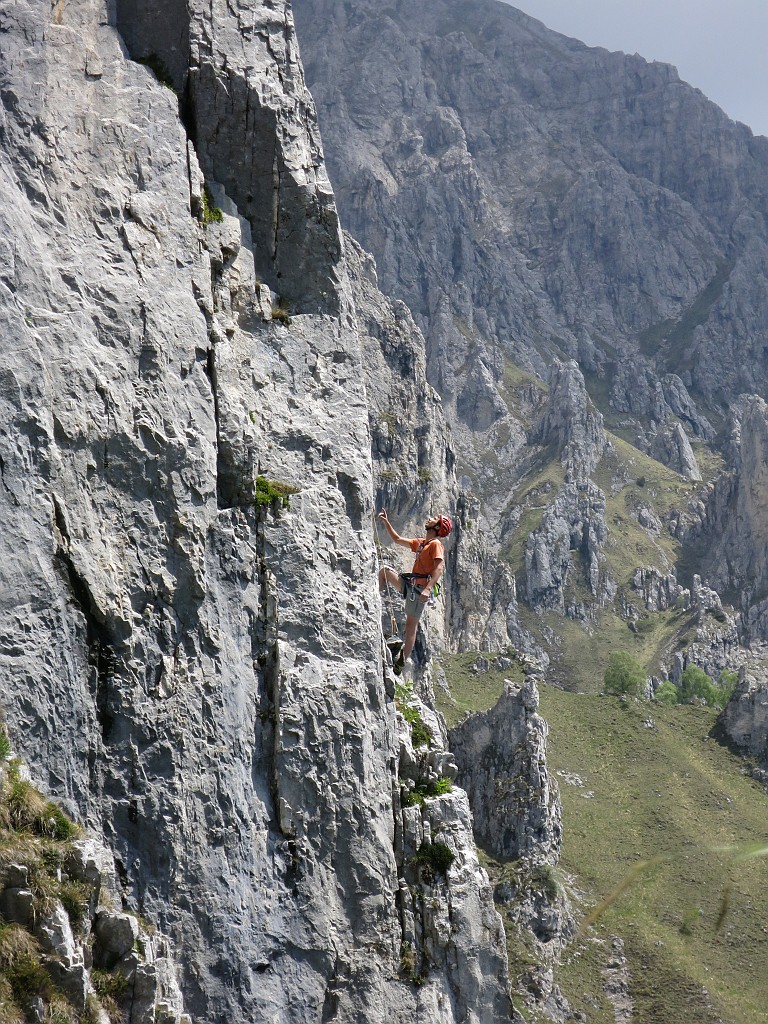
58,900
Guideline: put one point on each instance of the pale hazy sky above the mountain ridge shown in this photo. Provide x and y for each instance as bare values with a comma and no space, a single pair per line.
720,47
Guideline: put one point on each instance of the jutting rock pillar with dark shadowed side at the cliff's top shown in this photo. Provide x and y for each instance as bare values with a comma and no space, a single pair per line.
274,173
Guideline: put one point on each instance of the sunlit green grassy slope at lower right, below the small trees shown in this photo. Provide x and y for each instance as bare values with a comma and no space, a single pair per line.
657,791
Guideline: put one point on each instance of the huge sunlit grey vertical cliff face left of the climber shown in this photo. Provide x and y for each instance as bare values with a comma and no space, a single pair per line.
191,653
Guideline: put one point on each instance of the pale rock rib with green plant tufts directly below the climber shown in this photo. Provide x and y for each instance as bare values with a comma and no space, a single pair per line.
444,891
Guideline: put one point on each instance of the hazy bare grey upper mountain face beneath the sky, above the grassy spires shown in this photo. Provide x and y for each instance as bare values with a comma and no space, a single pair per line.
529,196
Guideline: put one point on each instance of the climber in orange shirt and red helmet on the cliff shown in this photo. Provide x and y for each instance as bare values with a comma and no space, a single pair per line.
416,586
